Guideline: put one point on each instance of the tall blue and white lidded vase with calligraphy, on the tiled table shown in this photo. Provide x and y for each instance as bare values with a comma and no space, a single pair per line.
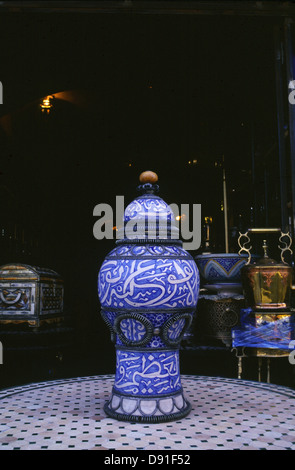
148,288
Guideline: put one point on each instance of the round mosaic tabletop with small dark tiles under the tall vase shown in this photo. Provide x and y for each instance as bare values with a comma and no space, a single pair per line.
226,414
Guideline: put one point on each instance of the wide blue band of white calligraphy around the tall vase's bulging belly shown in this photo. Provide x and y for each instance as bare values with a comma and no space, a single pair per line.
148,283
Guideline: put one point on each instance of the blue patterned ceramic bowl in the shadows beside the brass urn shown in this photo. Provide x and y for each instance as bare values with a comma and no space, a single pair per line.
219,268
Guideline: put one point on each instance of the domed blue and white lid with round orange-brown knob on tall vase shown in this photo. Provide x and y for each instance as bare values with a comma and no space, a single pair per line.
148,217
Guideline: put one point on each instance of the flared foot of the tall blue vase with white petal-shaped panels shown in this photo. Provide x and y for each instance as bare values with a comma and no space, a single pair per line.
147,409
